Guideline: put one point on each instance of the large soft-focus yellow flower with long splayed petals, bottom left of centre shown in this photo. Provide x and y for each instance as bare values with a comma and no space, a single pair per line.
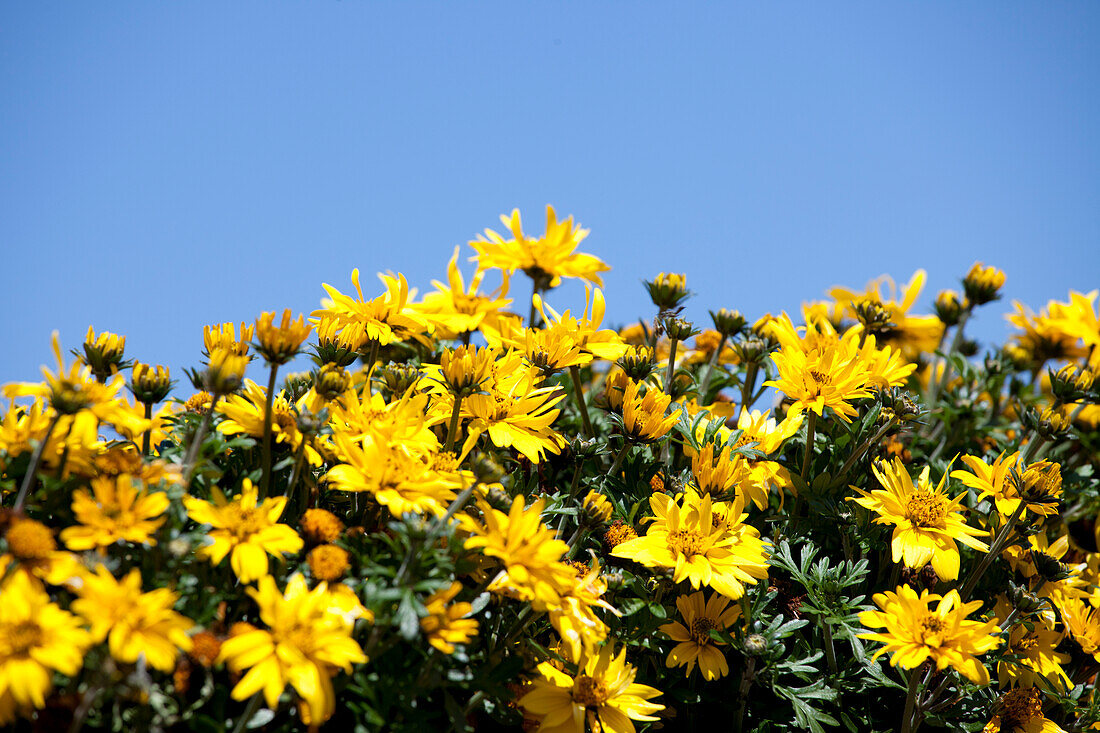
307,640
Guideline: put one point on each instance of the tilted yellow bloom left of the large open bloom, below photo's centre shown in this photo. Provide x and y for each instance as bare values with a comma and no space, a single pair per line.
527,549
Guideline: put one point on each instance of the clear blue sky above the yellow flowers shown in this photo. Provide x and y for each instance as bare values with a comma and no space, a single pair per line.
166,166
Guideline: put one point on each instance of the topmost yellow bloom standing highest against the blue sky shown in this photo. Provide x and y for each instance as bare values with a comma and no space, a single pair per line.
545,260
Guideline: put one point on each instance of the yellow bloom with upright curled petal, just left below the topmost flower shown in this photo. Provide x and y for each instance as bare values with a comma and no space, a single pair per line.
455,310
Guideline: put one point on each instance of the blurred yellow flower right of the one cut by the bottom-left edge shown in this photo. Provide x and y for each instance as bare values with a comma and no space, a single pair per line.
135,623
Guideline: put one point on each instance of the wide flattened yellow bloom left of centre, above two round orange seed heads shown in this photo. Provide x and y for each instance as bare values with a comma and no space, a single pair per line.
399,479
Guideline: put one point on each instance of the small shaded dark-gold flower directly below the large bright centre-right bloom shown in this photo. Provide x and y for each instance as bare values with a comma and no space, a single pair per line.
695,634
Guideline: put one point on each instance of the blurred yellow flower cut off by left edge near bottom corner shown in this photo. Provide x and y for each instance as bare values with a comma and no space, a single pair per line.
37,639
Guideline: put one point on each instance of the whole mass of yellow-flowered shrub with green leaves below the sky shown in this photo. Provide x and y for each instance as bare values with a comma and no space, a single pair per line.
470,519
